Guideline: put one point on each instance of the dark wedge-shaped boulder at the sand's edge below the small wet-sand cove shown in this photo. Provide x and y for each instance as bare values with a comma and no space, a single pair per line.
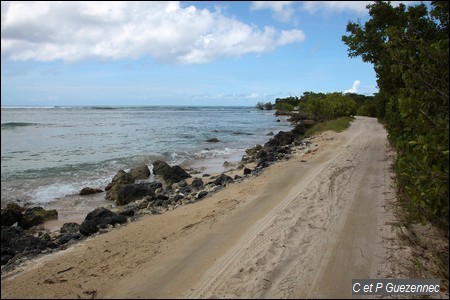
100,218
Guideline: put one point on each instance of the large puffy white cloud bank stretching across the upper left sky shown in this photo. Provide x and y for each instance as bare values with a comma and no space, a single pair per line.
167,31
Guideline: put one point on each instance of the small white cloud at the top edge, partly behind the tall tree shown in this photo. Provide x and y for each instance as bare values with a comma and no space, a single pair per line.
339,6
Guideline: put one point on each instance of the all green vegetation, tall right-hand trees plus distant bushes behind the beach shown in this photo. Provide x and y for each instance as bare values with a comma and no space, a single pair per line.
409,49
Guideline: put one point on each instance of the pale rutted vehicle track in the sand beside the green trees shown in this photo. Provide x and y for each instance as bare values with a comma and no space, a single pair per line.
288,252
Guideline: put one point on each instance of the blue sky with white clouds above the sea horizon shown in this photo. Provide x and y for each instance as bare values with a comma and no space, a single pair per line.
177,53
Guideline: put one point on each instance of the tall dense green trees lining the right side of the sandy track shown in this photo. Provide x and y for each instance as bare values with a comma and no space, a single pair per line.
409,50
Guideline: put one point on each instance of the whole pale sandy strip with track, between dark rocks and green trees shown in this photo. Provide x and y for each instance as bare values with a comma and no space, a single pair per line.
304,228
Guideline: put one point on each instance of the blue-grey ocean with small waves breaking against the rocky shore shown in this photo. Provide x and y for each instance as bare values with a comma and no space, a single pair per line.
50,153
